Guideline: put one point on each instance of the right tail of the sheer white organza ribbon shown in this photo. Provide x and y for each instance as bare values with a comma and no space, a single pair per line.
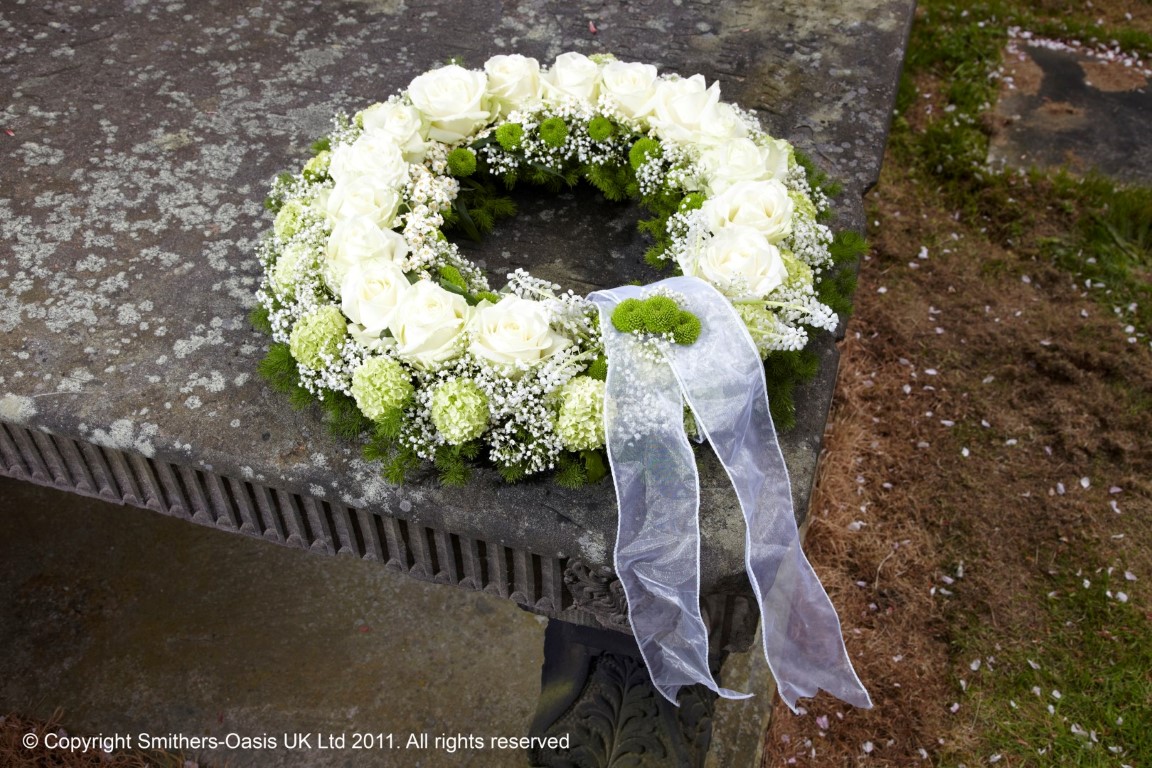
724,384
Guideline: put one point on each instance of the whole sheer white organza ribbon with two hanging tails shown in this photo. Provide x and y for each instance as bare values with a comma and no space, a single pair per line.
722,379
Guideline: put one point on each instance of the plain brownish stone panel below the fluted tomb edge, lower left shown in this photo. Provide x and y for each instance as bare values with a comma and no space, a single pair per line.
142,625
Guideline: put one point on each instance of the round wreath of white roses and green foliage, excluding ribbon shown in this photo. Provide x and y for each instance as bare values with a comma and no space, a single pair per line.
377,315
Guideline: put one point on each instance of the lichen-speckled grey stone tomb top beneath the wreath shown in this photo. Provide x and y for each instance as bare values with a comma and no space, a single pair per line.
139,141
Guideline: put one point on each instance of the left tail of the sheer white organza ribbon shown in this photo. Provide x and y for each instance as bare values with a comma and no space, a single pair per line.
658,539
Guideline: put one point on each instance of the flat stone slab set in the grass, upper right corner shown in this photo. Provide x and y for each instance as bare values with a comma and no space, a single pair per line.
1077,109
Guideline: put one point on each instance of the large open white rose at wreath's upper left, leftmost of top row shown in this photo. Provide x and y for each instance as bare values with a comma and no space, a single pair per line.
453,101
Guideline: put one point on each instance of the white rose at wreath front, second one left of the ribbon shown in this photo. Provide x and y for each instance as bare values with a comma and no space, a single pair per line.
429,324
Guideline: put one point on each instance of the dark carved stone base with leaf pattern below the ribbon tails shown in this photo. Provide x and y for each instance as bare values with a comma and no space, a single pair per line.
596,690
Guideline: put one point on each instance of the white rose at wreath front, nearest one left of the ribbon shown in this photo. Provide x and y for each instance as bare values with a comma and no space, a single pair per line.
514,333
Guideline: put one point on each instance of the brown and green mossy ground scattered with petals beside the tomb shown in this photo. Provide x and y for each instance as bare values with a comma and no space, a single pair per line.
983,518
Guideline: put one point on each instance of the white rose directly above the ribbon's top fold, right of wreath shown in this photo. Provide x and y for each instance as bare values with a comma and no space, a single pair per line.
740,263
